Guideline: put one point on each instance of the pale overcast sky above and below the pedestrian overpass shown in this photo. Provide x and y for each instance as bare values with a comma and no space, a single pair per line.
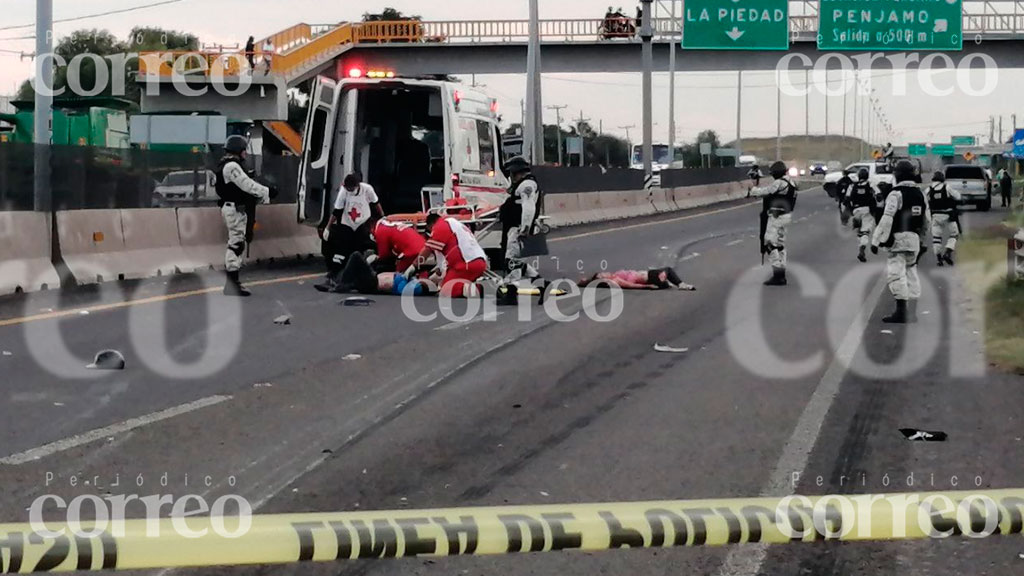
703,101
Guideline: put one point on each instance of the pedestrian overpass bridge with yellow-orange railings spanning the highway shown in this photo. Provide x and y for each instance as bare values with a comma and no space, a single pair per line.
994,28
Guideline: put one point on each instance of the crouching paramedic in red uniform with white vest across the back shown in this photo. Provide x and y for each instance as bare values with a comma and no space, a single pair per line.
466,261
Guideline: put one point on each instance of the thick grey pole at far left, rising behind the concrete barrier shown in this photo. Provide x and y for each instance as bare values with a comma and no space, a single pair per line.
44,135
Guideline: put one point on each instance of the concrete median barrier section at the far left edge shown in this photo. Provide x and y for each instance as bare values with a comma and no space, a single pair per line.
25,254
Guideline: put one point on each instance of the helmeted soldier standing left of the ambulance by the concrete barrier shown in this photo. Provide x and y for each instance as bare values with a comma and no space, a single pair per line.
239,196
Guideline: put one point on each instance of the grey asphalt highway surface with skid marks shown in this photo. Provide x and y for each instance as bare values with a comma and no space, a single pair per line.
796,390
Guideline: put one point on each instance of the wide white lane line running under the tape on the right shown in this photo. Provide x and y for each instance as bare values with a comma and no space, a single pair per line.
749,560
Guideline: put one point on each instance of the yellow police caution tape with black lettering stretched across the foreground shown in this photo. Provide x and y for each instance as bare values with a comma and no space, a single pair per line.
326,538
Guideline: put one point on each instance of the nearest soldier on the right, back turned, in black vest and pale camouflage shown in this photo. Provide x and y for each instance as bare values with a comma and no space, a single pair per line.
903,230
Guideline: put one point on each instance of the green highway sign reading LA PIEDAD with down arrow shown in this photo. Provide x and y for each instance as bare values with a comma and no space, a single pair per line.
737,25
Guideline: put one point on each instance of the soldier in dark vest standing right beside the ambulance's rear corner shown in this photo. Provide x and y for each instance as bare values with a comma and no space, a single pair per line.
520,217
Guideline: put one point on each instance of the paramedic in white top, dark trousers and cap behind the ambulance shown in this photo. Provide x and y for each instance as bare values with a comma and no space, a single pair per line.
349,229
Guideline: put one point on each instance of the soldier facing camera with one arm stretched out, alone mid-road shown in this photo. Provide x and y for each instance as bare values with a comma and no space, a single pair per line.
780,201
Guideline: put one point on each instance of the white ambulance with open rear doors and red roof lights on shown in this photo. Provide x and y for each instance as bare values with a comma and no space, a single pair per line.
419,143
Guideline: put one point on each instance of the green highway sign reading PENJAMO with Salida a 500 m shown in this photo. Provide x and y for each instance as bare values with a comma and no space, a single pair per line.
890,25
